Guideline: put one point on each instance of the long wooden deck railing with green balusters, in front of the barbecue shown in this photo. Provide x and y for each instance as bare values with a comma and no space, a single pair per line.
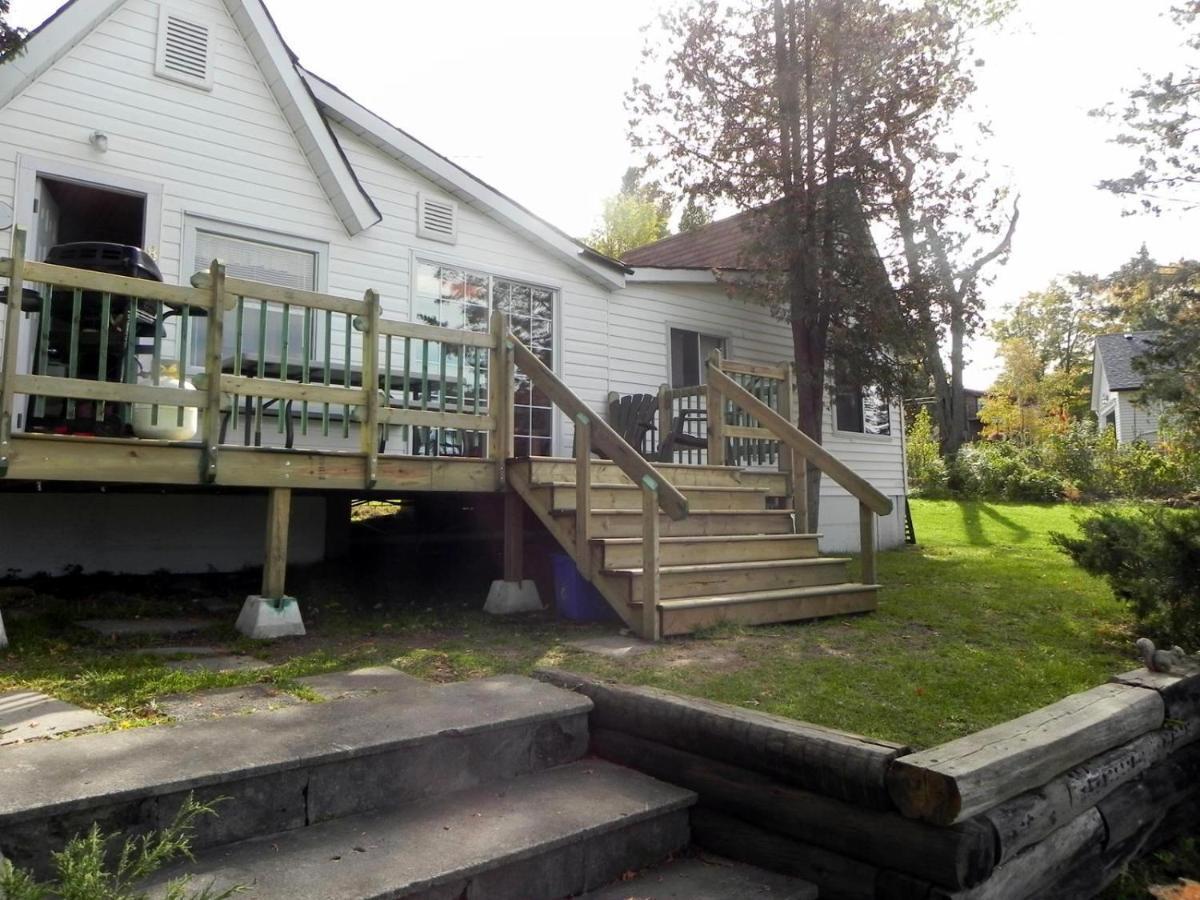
225,352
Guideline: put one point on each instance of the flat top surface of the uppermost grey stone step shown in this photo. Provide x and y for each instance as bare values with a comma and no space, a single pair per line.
57,777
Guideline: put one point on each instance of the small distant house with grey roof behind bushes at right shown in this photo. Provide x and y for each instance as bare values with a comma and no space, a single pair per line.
1117,388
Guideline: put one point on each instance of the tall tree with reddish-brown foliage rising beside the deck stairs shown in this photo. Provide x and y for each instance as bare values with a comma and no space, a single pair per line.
787,107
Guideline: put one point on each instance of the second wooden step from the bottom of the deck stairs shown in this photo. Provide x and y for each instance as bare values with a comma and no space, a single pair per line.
685,581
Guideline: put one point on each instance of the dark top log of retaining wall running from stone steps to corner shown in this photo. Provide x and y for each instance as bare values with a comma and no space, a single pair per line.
836,764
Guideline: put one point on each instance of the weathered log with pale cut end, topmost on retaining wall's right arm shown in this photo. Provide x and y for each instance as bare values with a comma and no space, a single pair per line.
953,782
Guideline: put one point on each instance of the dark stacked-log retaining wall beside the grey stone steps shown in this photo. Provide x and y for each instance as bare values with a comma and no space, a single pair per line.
1051,805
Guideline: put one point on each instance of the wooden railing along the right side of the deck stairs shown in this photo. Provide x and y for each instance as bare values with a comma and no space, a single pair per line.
799,451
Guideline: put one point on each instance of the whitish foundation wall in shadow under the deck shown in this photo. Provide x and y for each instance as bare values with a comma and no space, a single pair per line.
139,535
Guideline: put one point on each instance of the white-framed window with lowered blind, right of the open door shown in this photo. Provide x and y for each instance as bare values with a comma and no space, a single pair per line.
263,257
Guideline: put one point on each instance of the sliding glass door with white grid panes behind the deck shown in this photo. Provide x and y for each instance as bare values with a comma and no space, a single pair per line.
453,297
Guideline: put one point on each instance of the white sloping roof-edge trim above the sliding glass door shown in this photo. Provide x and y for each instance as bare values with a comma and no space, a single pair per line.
458,182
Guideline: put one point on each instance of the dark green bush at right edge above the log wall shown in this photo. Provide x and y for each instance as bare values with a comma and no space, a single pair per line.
1151,559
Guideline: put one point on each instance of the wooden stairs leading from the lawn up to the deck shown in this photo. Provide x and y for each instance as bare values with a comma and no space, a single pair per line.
735,559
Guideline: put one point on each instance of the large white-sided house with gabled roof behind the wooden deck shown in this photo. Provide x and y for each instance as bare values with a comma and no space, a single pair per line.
188,128
